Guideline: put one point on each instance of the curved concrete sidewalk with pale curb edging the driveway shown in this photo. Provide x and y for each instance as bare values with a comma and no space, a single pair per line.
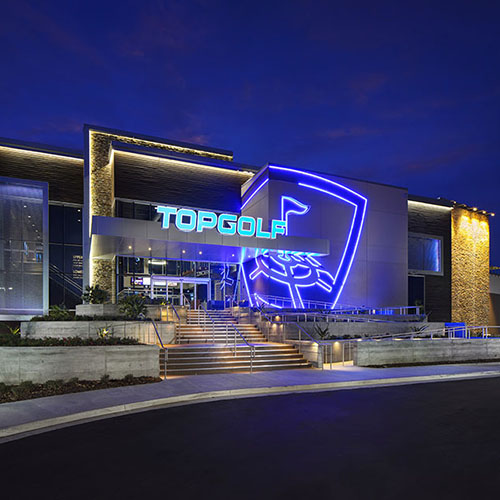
37,415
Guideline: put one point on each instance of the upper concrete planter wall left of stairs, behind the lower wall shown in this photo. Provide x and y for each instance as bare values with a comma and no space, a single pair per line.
143,331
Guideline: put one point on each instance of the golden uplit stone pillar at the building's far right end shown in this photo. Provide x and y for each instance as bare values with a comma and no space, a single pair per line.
470,247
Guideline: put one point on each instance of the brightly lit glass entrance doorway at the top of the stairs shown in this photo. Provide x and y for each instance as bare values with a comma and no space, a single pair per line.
178,291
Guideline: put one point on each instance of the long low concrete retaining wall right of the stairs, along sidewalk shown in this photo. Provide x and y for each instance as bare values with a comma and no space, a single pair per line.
425,351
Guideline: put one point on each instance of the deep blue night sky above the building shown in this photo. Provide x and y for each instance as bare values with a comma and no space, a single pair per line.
400,93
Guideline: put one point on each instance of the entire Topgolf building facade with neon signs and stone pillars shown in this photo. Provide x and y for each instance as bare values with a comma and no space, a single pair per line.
177,222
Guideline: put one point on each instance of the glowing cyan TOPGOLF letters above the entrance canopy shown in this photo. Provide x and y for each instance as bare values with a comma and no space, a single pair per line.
188,220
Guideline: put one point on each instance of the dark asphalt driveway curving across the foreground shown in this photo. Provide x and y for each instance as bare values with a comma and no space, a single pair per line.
438,440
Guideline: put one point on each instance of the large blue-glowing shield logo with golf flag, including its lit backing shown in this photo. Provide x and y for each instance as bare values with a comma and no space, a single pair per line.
304,278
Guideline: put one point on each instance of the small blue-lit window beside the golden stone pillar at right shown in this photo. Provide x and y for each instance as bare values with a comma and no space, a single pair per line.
425,254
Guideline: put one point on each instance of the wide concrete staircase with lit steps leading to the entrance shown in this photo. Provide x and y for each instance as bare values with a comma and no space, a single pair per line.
210,345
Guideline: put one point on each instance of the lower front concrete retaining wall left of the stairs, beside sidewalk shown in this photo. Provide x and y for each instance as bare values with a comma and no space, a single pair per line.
39,364
